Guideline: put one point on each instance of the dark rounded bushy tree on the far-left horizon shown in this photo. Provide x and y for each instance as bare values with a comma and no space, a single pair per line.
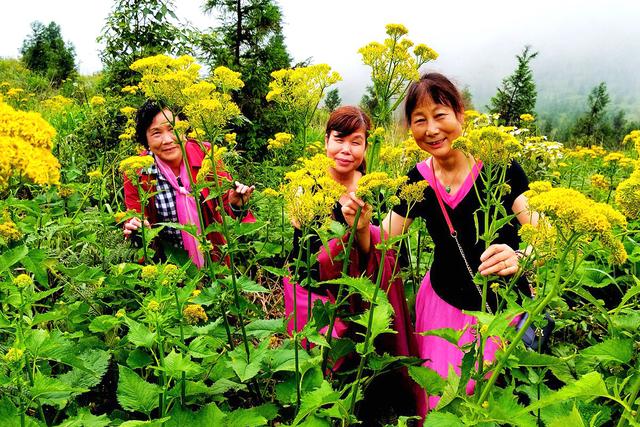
46,53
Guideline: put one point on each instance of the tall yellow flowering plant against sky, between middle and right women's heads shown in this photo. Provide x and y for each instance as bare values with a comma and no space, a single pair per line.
393,66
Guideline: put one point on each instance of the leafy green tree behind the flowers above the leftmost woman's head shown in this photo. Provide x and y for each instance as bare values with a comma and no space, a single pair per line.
135,29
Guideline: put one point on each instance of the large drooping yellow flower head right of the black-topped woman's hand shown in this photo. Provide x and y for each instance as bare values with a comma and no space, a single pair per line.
571,212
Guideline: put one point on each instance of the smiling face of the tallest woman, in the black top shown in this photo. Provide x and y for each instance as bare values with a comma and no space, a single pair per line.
435,127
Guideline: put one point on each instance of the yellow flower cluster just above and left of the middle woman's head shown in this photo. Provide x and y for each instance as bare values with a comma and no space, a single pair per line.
301,89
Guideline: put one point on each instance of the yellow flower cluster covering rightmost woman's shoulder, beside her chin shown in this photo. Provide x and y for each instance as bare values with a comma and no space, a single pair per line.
491,144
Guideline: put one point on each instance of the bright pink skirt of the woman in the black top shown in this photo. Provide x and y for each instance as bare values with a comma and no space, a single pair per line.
432,312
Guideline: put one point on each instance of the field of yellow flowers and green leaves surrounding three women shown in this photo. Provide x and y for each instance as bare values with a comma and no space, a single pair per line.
94,333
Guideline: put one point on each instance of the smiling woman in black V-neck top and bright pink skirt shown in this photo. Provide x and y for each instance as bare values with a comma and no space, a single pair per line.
435,113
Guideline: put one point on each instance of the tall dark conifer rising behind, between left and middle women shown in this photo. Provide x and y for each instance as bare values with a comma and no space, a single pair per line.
250,41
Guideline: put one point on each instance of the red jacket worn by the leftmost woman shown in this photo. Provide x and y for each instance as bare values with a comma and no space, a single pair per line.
209,212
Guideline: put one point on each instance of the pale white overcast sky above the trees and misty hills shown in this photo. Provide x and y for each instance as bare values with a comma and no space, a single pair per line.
476,40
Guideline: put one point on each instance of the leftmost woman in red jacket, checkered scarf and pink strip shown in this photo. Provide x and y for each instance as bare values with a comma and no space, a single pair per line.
168,179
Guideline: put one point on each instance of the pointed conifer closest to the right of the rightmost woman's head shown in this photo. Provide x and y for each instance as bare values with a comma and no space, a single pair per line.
518,92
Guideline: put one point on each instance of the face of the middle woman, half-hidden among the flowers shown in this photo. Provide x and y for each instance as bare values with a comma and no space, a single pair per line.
347,150
